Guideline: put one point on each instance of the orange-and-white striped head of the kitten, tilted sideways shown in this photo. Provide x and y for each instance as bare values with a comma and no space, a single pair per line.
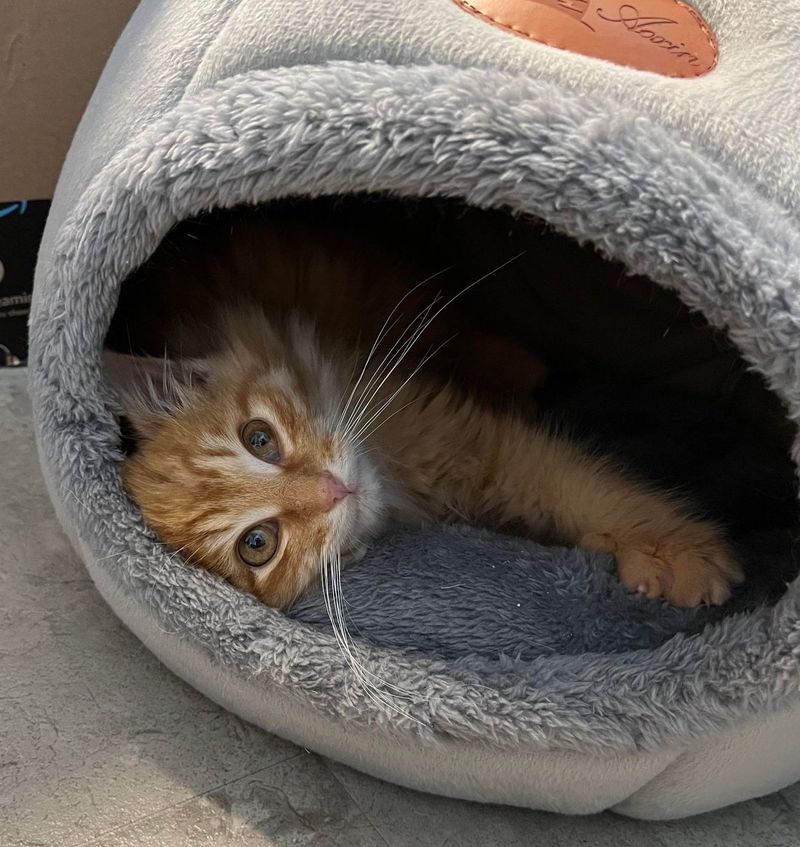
240,463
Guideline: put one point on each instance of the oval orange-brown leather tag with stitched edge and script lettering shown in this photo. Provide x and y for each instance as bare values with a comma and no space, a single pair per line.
663,36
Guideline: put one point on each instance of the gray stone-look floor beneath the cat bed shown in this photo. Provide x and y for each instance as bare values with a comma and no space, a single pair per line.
101,745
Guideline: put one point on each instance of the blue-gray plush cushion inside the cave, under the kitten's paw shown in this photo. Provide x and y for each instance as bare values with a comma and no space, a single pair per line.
544,601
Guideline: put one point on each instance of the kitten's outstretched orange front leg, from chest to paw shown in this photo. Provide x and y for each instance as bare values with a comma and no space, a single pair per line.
461,459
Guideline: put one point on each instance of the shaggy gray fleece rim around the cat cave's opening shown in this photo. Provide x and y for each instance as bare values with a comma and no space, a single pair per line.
593,170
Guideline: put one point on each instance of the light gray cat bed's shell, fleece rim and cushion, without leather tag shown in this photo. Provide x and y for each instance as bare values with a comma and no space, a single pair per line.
568,694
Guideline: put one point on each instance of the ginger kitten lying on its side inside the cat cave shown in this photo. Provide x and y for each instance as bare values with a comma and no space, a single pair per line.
286,450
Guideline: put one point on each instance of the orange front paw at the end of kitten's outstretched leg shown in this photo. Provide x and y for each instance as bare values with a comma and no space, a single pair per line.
687,566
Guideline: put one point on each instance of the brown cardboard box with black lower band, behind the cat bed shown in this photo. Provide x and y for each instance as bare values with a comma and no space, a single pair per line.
51,55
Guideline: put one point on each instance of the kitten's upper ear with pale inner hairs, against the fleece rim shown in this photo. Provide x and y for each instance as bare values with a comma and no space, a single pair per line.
152,390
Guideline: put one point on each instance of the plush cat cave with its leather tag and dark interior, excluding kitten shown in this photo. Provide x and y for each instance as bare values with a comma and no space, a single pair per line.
507,671
